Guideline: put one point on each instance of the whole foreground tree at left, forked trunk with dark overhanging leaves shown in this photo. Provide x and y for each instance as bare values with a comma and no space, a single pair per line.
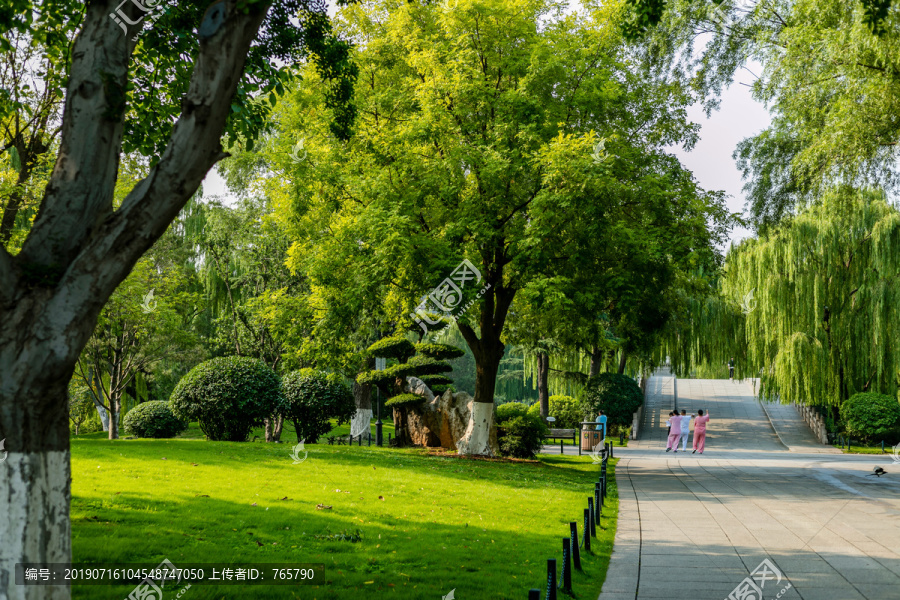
203,70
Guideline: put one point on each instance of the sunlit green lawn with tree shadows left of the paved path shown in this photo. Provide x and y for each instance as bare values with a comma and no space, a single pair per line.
429,523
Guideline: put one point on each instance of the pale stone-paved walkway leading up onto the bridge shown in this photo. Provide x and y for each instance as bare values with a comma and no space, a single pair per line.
697,526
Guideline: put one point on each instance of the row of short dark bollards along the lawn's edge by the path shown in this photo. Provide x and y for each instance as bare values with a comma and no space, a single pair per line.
571,545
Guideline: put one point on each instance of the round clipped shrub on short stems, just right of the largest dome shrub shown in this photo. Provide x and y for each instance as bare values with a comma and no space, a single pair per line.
312,399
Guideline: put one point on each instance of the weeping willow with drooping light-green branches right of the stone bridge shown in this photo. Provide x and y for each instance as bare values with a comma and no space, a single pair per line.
824,316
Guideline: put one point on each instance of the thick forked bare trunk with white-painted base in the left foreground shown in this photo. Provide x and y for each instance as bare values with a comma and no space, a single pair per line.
80,249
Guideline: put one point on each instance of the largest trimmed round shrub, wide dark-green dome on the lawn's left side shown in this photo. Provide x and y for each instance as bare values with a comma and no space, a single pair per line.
228,396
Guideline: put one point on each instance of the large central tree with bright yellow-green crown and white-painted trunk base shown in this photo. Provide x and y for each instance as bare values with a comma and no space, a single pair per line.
468,122
